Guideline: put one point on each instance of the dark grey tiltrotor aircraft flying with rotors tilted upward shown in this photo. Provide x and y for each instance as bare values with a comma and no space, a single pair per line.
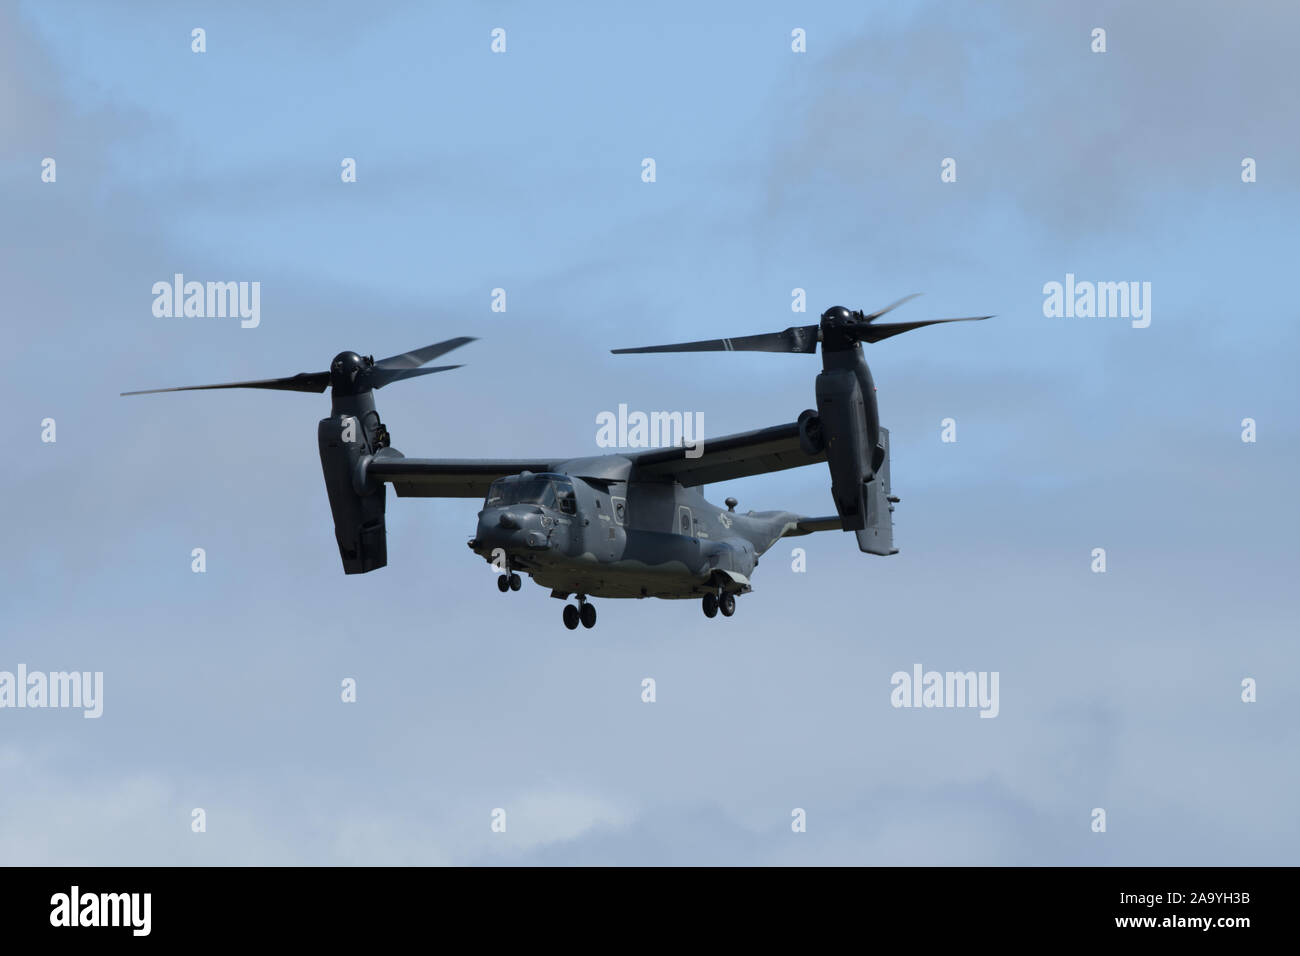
632,525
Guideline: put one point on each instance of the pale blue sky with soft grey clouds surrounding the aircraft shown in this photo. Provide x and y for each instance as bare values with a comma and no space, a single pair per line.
775,171
